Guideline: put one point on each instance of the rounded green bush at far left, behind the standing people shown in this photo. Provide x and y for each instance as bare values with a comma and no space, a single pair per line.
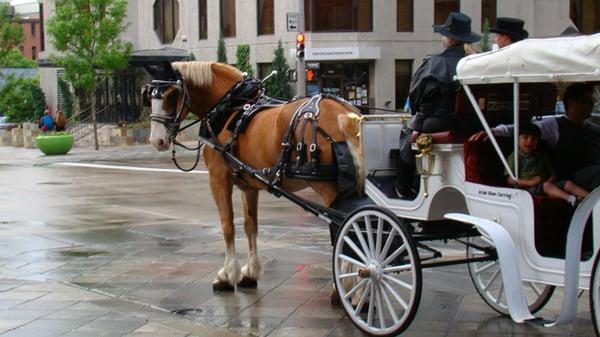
22,100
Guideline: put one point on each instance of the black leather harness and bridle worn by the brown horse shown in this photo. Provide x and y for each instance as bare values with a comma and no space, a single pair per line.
244,101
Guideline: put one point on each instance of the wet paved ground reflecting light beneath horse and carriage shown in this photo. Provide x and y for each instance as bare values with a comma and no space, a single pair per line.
95,251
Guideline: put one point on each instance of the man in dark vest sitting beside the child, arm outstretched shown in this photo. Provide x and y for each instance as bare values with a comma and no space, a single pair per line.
569,138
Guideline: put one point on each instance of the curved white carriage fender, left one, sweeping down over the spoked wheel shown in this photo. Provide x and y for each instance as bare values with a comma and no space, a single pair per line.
507,254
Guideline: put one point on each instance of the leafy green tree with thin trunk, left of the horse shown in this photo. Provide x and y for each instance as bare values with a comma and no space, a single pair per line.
87,33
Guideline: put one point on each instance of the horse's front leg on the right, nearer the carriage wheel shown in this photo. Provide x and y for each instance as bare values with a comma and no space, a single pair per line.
251,271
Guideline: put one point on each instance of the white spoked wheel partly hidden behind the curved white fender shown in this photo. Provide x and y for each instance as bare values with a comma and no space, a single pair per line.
487,279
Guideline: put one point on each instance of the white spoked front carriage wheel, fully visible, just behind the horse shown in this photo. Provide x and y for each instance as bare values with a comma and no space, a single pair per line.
377,272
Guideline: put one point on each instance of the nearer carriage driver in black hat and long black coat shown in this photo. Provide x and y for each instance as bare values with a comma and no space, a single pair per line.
432,94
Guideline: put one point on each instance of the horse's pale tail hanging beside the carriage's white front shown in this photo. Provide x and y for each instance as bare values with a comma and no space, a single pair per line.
349,125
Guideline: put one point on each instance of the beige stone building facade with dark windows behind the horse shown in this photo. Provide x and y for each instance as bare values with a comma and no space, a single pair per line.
363,50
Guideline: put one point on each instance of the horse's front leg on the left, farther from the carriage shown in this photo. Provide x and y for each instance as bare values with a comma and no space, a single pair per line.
221,185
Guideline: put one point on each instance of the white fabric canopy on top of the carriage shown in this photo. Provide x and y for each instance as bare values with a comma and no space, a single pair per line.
561,59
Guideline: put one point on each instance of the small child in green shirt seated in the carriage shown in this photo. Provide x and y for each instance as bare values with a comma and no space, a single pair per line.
536,173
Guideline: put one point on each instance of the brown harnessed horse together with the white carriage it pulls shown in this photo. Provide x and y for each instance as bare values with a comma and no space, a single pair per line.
518,247
